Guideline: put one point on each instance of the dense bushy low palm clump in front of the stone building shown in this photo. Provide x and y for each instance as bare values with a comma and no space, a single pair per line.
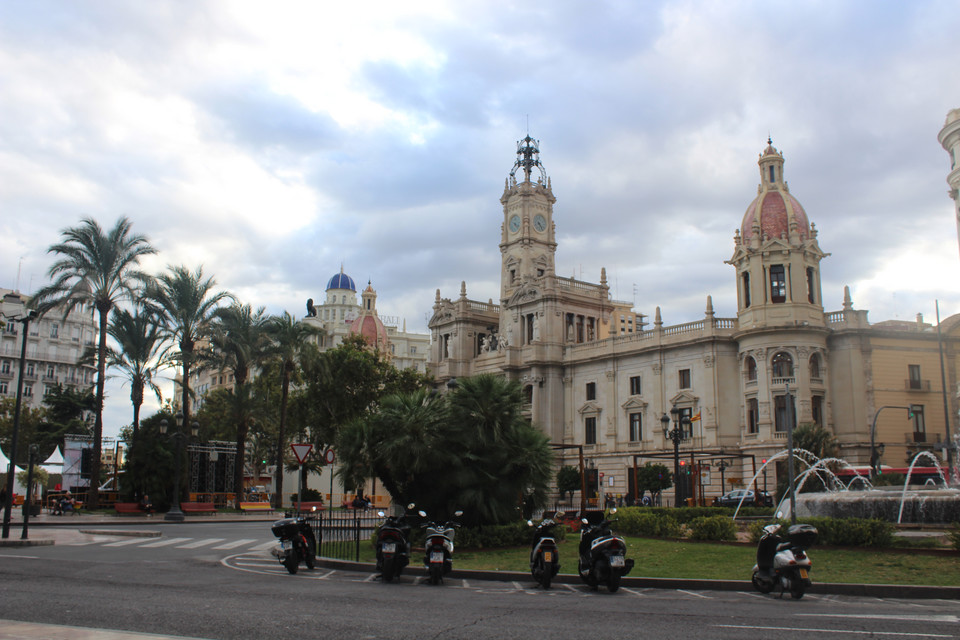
471,449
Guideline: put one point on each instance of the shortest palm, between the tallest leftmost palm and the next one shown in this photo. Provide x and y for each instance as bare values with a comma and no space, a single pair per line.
140,347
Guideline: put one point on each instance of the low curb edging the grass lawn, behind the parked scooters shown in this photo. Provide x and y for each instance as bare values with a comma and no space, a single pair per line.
832,588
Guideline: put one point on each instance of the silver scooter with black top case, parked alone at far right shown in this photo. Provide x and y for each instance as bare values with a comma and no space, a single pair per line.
784,562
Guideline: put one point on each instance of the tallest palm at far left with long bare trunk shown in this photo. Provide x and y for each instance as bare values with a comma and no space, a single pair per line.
97,269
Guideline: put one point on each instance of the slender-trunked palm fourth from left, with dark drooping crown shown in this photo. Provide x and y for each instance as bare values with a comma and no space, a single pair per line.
238,342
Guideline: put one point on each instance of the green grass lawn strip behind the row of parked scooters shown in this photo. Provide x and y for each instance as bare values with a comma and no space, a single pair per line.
670,559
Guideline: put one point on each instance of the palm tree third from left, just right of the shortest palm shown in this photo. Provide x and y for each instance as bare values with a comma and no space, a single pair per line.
186,303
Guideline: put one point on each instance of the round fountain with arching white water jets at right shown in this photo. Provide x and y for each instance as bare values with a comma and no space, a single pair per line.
937,504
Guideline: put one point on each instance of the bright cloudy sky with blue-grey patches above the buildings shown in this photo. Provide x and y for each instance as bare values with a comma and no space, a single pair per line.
273,142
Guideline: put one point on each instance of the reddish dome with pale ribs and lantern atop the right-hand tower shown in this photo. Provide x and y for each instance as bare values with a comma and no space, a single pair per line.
774,212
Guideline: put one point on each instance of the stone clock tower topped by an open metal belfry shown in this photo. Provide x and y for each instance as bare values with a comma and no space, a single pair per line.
528,242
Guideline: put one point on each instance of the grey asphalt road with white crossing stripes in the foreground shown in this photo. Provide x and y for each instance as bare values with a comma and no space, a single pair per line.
191,588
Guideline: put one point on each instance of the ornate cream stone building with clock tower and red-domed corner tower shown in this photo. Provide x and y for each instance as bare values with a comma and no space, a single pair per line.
596,376
